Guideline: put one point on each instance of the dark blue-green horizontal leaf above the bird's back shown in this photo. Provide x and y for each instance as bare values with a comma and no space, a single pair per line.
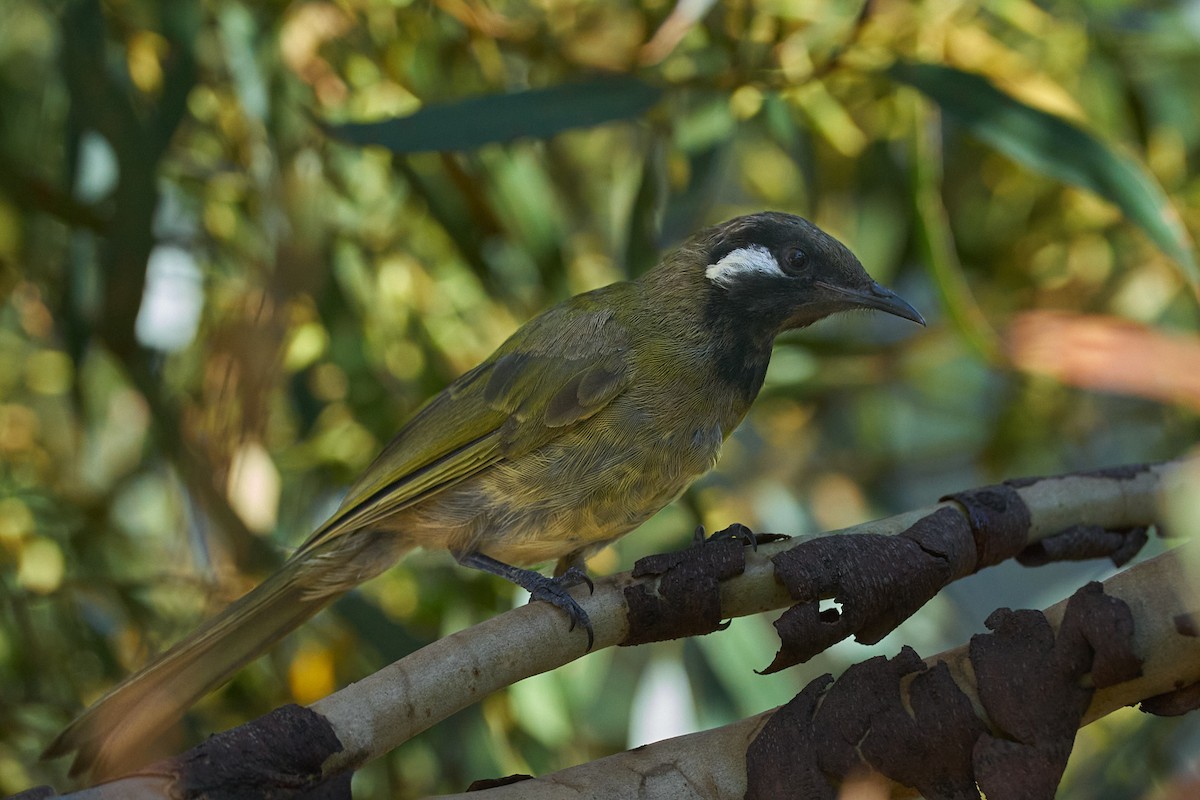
538,113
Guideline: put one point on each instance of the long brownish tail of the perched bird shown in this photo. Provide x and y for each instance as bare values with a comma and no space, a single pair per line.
112,737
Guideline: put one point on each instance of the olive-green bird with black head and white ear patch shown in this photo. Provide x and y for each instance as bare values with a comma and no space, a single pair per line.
590,419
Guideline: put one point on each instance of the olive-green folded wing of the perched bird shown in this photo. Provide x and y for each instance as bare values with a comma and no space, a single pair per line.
562,368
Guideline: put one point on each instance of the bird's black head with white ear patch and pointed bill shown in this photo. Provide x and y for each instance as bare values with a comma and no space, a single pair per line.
781,272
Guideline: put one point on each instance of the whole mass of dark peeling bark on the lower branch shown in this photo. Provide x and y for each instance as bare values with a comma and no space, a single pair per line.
914,725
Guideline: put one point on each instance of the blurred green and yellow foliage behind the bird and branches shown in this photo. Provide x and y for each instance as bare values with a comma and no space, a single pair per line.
230,270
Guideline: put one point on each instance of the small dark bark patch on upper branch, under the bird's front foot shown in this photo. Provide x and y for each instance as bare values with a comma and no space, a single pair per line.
688,601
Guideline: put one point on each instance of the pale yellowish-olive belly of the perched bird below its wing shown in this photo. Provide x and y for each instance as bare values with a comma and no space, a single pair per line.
566,498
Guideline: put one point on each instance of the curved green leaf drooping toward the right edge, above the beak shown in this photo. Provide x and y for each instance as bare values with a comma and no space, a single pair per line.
1057,148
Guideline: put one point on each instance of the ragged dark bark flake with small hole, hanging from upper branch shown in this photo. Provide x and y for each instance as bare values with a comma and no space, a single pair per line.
879,582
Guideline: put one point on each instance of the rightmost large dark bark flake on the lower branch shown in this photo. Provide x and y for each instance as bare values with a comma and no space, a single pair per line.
1031,685
